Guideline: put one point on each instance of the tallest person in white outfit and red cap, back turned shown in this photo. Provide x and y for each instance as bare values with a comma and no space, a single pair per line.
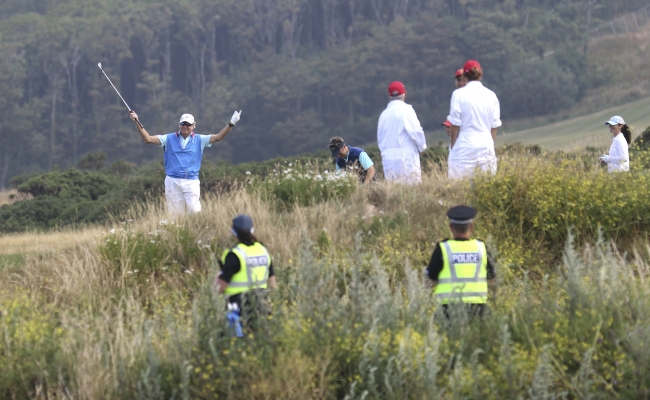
475,116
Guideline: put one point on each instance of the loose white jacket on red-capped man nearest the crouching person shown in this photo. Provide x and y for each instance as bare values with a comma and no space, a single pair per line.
399,128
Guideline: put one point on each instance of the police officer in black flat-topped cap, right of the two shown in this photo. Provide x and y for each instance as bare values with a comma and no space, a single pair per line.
460,269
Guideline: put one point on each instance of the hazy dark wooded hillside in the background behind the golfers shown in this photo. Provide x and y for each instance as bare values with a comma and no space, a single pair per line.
301,70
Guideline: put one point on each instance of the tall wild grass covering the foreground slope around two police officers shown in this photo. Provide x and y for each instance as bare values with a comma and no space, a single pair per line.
352,315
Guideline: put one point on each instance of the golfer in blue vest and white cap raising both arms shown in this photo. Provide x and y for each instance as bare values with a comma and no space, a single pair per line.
183,155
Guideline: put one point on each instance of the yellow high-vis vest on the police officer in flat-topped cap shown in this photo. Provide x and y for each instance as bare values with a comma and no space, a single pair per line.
464,272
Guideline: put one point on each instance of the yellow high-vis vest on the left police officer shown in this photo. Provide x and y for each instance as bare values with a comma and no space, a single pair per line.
255,261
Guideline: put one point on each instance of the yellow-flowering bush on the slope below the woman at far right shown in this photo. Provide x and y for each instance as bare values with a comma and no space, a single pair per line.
531,203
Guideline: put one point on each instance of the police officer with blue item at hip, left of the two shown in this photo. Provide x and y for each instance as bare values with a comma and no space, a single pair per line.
246,274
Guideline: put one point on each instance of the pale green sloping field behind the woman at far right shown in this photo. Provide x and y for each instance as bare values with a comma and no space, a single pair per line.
587,130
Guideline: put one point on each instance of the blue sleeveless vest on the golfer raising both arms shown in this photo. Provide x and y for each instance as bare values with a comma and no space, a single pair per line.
183,163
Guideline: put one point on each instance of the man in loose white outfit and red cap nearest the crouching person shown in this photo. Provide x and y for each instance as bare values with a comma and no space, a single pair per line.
400,138
